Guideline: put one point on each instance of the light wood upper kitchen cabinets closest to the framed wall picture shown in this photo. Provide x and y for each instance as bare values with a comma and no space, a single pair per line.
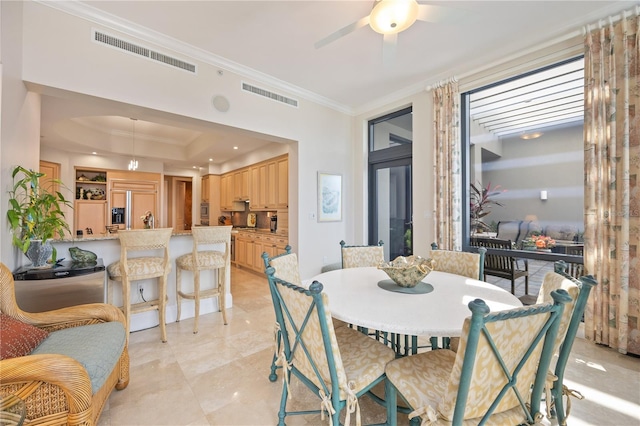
270,185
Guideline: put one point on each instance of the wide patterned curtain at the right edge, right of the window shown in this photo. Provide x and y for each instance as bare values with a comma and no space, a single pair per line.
612,183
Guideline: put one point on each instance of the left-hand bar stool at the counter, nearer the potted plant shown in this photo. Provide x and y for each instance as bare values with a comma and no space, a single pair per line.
129,269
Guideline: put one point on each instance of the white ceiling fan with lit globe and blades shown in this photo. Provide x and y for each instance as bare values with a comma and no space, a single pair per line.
390,17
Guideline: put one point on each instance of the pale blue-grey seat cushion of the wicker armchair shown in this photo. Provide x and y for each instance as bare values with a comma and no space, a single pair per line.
97,347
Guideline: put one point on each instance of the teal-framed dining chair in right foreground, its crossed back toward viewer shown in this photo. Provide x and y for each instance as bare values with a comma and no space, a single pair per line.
471,386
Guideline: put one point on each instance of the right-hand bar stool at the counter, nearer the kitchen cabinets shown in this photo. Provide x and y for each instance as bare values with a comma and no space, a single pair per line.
197,261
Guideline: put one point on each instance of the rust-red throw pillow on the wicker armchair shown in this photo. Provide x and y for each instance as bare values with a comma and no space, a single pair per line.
18,338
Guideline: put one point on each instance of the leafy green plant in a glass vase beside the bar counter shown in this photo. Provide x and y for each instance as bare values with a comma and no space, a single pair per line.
35,215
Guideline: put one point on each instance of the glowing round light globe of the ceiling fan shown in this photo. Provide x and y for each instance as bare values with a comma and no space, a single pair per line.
393,16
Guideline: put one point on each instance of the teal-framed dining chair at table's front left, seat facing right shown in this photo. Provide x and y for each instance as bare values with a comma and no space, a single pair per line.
338,366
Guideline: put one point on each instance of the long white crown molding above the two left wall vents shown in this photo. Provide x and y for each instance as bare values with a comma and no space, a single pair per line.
85,11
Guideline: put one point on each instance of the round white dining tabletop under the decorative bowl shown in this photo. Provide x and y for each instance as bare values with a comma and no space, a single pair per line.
356,298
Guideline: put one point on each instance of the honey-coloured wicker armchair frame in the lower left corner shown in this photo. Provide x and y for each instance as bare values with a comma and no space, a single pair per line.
57,389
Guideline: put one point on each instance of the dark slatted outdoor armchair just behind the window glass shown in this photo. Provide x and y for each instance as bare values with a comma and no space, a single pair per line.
502,265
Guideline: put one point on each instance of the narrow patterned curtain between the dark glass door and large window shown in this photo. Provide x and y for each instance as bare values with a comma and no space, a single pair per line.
447,167
